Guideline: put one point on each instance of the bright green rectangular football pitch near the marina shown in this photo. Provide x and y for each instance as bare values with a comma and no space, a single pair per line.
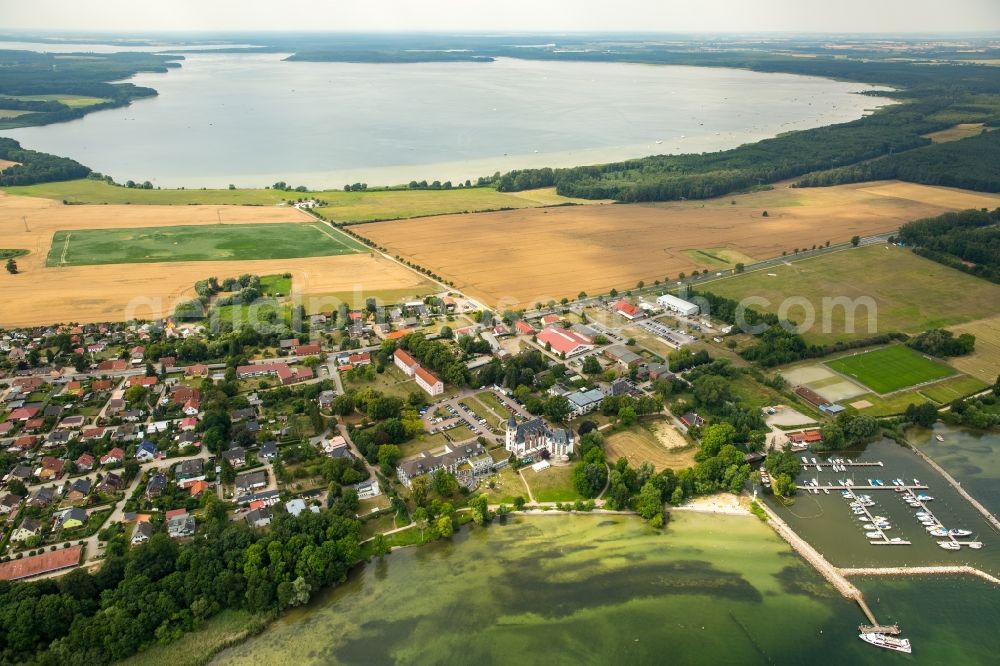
890,368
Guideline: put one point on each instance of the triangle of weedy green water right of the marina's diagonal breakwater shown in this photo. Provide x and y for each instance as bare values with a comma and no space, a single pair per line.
972,457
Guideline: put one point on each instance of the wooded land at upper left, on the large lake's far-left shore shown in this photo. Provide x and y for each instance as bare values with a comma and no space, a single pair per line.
27,73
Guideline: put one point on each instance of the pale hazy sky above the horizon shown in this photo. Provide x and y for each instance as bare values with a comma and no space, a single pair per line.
701,16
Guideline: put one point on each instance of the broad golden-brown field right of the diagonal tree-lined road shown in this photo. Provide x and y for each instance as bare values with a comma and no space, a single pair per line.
517,258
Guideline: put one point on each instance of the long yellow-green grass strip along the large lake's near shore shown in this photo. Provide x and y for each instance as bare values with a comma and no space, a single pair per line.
341,206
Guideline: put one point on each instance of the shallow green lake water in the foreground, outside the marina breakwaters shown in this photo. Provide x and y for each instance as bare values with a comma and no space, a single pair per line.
610,590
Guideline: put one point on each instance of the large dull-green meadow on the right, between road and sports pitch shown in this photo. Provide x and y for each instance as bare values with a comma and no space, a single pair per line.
931,296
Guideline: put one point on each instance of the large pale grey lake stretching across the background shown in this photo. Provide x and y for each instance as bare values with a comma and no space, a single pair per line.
254,119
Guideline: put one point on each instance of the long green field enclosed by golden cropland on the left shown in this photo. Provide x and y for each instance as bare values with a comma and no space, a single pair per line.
217,242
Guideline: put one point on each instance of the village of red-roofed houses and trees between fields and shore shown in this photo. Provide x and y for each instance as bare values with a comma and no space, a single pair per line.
117,444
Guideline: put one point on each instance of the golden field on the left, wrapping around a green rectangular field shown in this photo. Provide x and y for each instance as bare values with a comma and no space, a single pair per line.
40,295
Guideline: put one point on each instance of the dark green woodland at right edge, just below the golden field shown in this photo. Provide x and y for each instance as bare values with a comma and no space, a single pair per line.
968,241
